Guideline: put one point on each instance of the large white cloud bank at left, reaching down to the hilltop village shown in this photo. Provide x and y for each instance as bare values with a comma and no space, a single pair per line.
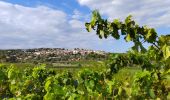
41,26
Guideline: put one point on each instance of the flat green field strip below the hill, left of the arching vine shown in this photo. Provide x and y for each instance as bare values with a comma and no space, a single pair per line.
73,66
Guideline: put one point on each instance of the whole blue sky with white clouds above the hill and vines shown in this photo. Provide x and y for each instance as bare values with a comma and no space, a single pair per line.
60,23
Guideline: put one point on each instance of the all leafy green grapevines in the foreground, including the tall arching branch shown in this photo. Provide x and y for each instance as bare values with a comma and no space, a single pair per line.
151,82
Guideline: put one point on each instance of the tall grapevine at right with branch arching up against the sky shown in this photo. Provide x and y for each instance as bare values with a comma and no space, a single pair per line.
154,62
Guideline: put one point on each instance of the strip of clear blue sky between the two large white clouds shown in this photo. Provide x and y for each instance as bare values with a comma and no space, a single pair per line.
67,6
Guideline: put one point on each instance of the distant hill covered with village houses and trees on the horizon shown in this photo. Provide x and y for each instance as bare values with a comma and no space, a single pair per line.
50,55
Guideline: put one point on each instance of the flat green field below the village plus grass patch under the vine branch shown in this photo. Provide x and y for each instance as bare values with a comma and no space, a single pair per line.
74,66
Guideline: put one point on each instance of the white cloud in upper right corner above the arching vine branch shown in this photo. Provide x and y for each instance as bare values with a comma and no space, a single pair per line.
155,13
